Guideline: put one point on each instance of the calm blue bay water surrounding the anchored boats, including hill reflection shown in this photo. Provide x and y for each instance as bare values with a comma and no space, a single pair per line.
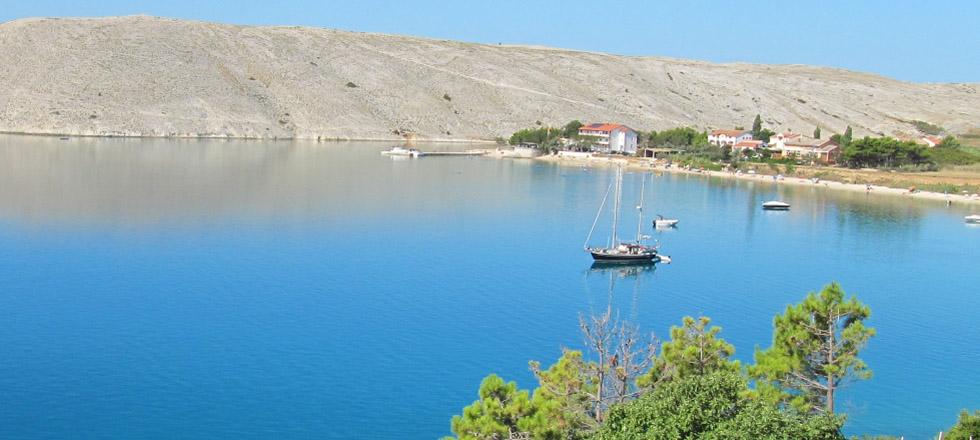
210,289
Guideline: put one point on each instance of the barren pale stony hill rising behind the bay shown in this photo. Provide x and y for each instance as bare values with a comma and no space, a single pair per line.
160,77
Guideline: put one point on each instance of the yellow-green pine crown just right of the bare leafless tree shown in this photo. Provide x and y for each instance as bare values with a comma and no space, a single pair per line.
694,349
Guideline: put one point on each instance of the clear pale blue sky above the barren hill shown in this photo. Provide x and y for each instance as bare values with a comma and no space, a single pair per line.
910,40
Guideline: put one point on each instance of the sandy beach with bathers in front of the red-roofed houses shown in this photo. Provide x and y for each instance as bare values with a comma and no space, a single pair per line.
760,175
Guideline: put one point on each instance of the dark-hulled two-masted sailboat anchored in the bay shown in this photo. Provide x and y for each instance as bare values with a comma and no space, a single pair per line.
619,251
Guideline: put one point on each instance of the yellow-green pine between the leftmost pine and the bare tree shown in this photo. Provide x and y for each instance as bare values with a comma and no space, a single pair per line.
563,398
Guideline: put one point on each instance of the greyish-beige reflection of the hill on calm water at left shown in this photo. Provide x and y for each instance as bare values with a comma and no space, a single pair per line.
146,182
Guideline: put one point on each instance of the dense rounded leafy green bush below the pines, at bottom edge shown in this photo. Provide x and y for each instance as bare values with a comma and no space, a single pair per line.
710,406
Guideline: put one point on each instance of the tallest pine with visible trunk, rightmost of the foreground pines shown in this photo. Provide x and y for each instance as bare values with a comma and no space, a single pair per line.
815,349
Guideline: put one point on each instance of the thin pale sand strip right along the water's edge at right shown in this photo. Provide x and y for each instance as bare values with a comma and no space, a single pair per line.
643,164
